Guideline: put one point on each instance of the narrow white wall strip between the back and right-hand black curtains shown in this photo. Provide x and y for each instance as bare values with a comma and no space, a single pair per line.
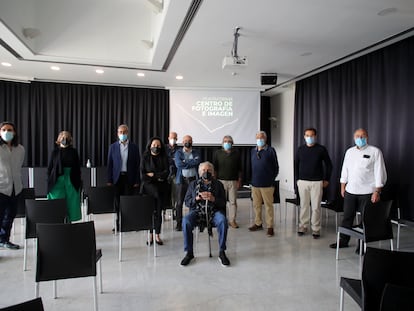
282,108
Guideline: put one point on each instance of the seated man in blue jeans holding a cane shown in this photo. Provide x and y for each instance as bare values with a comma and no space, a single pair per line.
205,191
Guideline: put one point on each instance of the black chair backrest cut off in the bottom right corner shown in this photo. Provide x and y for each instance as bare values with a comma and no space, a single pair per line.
397,298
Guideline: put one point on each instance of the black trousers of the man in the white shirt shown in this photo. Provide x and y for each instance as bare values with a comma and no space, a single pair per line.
353,203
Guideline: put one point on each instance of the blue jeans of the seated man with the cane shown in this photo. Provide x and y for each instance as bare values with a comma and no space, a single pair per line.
190,222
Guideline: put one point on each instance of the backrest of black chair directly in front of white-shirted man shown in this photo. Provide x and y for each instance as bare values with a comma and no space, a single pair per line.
376,222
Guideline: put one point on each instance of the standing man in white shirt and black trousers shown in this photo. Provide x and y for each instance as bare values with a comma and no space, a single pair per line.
363,176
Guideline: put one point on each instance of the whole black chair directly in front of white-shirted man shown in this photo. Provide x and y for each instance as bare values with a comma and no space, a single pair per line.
376,226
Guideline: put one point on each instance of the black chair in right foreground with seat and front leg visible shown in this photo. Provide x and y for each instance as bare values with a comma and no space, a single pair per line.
380,267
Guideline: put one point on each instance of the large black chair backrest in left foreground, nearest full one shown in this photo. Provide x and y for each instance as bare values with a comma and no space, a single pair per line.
65,251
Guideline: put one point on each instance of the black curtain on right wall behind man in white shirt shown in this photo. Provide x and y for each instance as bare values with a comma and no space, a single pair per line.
375,92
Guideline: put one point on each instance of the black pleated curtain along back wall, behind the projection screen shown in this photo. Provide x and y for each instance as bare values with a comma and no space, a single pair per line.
92,114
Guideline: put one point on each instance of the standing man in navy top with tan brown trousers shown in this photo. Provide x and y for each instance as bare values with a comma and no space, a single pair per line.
264,171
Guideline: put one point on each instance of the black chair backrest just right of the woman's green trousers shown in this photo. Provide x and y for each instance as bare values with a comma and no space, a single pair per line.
100,200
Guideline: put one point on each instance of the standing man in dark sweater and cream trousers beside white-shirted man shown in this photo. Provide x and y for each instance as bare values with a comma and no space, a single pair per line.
313,168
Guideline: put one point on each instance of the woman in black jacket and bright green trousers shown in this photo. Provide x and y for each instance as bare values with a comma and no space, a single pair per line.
64,177
